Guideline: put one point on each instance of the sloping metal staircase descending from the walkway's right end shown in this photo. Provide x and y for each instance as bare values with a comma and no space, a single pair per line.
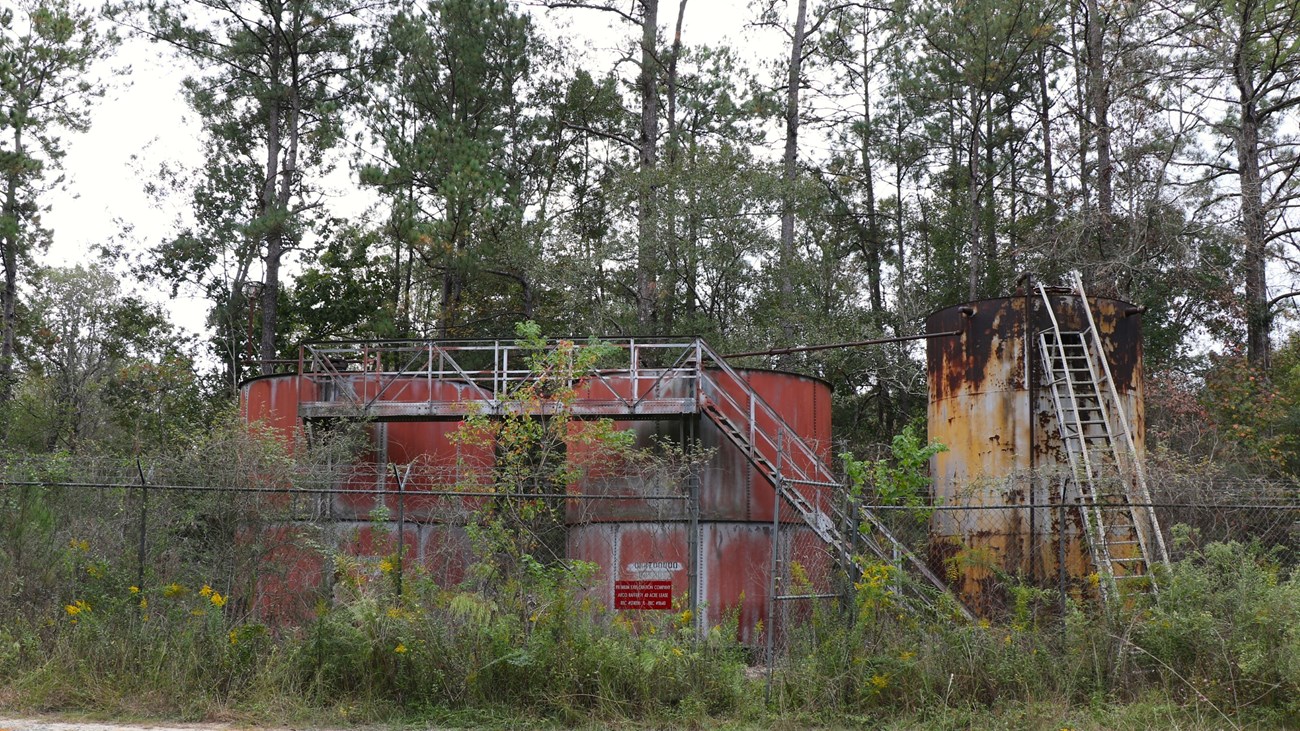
792,468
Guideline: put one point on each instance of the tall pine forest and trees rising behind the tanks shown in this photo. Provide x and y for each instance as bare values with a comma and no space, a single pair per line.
870,165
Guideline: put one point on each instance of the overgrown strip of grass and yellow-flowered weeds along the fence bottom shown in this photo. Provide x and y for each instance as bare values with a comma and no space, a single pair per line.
521,646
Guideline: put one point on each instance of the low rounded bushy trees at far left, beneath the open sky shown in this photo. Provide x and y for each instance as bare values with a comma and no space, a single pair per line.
103,371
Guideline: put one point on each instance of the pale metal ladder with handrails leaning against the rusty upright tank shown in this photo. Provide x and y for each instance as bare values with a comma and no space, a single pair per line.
1123,531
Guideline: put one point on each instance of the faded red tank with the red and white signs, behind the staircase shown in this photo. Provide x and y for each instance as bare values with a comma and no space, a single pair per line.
727,551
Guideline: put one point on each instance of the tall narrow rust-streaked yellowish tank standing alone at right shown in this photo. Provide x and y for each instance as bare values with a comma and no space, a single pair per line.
990,406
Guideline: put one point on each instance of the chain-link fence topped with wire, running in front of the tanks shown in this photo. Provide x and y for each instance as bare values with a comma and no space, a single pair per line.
271,534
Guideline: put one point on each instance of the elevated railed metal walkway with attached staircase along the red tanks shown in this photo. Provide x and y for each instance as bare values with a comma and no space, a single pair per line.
448,380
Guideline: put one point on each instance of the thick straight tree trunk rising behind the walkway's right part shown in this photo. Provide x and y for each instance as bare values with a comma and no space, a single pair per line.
649,144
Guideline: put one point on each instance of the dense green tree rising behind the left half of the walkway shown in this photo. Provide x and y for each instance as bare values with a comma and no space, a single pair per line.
454,157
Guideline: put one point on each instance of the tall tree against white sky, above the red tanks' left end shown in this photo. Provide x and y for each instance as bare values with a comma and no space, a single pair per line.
271,85
